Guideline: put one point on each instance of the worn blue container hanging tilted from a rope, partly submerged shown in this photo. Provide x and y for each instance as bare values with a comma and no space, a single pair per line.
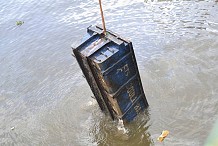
109,65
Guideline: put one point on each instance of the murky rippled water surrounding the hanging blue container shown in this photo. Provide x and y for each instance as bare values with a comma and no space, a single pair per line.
44,100
